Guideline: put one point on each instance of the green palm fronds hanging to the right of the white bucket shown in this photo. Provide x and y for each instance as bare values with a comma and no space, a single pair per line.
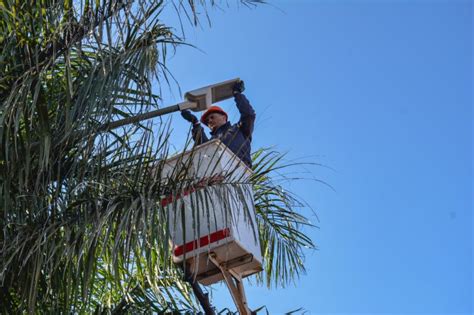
281,225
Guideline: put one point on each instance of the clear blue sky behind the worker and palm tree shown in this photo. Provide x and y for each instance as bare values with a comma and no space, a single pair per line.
380,91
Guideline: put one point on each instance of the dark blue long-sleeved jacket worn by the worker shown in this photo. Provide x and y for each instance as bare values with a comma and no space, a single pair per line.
238,136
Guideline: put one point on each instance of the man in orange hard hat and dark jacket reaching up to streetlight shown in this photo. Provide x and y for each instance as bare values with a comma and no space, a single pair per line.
237,136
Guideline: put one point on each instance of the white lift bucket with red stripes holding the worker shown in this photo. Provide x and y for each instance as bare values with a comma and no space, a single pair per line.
215,196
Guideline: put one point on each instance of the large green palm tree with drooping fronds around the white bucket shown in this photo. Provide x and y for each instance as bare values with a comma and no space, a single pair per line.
82,228
